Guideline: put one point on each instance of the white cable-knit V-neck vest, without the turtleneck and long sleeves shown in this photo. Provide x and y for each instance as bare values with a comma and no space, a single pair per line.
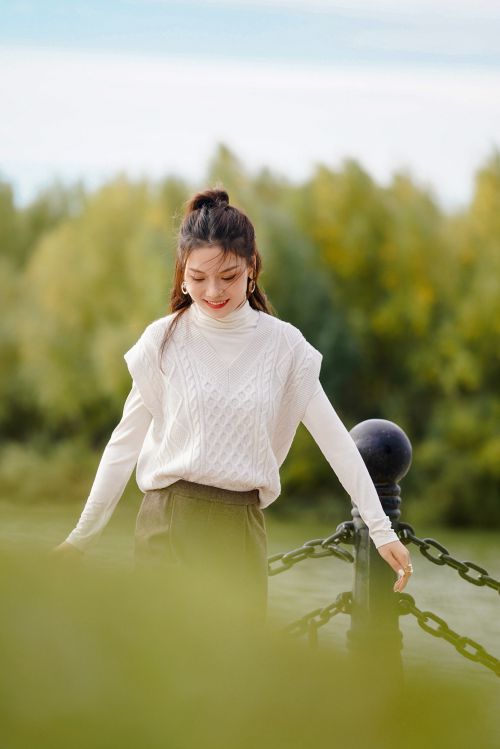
223,425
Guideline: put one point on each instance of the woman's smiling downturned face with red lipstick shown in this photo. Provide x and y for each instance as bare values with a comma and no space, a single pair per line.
207,282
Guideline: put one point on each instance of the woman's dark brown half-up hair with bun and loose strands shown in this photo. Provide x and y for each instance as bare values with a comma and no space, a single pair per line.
209,220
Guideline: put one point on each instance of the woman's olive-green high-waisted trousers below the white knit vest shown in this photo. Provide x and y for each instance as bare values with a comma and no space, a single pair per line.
216,534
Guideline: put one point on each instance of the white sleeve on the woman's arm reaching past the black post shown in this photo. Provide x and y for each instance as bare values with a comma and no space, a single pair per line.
339,448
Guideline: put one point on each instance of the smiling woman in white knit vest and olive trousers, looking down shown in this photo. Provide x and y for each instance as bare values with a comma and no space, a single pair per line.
219,387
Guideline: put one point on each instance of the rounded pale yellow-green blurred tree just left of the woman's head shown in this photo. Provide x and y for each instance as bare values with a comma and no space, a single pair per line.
90,287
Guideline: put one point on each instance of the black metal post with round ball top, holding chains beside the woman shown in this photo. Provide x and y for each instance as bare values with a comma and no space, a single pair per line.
374,631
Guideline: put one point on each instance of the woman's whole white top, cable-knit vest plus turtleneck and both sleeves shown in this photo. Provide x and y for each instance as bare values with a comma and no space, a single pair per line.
224,413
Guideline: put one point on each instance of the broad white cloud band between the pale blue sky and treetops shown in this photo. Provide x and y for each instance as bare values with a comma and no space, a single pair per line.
92,114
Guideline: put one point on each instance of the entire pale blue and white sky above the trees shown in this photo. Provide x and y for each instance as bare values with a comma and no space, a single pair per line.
89,89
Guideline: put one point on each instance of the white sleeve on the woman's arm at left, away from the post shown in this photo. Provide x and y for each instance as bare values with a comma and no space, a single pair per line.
115,468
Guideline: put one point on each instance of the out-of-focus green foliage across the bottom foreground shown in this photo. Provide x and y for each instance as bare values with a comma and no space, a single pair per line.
99,657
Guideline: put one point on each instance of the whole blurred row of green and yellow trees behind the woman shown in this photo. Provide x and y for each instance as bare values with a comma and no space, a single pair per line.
402,300
